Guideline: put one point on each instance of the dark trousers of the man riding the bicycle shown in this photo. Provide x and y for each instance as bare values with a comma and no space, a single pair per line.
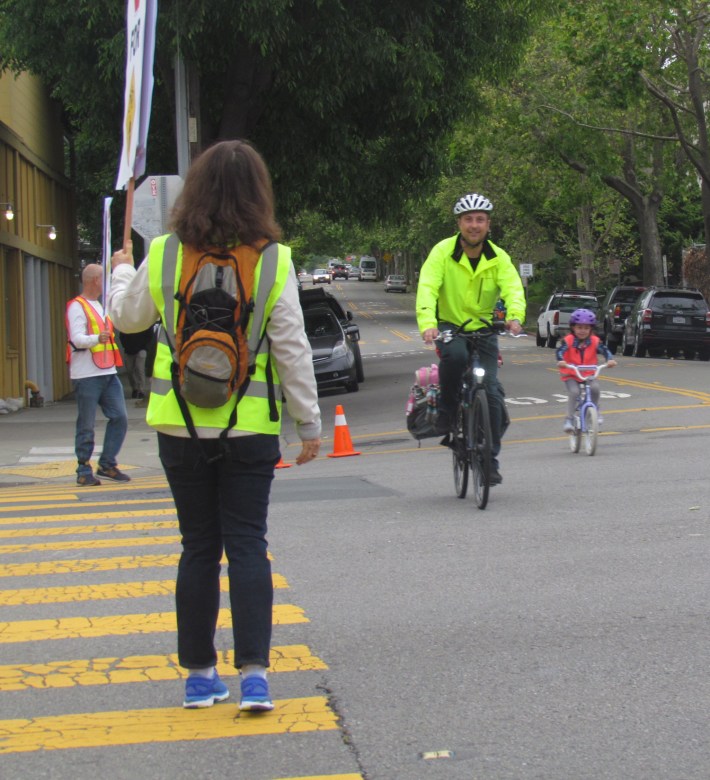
453,359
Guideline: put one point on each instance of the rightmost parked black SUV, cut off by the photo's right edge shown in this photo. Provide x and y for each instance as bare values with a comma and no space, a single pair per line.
669,319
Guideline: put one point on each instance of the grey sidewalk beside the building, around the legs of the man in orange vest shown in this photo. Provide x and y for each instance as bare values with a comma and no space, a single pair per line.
37,445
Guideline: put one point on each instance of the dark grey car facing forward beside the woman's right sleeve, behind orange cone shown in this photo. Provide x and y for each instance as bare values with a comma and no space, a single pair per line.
333,356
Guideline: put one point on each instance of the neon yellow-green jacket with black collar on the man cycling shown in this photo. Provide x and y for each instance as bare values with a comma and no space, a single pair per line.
451,291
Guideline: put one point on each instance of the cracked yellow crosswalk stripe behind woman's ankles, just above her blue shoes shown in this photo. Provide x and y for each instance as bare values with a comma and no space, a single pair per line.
138,668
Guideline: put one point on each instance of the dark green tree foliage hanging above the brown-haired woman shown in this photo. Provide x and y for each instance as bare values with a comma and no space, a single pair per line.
350,103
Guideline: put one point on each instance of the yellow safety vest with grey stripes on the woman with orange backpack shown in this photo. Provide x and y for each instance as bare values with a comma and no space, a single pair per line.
254,413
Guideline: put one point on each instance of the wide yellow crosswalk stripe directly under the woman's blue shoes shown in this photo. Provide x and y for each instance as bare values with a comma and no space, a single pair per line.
133,727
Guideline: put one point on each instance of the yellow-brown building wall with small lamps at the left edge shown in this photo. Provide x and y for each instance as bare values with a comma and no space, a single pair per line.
32,178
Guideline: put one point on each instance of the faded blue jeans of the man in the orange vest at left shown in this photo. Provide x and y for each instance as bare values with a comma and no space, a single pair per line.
105,391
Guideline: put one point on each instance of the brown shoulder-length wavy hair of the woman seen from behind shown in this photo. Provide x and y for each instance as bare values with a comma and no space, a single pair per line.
227,199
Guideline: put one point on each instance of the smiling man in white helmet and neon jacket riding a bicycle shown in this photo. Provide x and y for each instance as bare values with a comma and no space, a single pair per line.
462,279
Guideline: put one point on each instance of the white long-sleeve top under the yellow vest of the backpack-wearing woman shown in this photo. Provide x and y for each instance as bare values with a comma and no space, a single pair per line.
132,309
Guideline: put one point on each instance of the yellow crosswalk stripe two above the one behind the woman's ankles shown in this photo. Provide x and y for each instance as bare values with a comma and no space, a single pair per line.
111,590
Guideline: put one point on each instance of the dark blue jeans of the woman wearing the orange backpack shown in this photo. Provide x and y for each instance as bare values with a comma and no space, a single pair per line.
222,505
